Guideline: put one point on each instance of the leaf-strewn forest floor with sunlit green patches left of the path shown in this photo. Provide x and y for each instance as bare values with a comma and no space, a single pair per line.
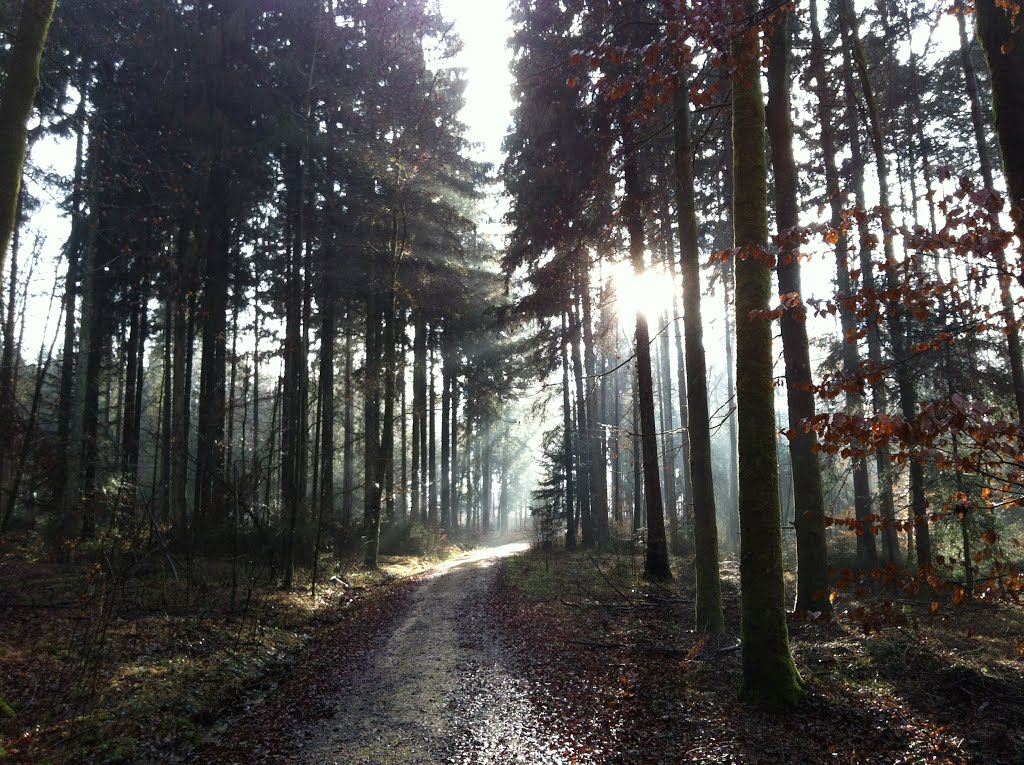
126,658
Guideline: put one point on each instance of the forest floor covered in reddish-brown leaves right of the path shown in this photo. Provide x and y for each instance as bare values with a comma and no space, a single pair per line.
893,679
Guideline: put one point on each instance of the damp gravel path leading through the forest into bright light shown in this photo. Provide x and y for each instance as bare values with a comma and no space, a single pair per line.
436,690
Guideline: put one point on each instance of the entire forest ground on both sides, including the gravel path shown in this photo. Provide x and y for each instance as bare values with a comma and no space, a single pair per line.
493,658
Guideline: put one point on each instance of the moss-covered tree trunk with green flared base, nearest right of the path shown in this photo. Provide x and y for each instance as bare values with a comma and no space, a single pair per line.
771,677
